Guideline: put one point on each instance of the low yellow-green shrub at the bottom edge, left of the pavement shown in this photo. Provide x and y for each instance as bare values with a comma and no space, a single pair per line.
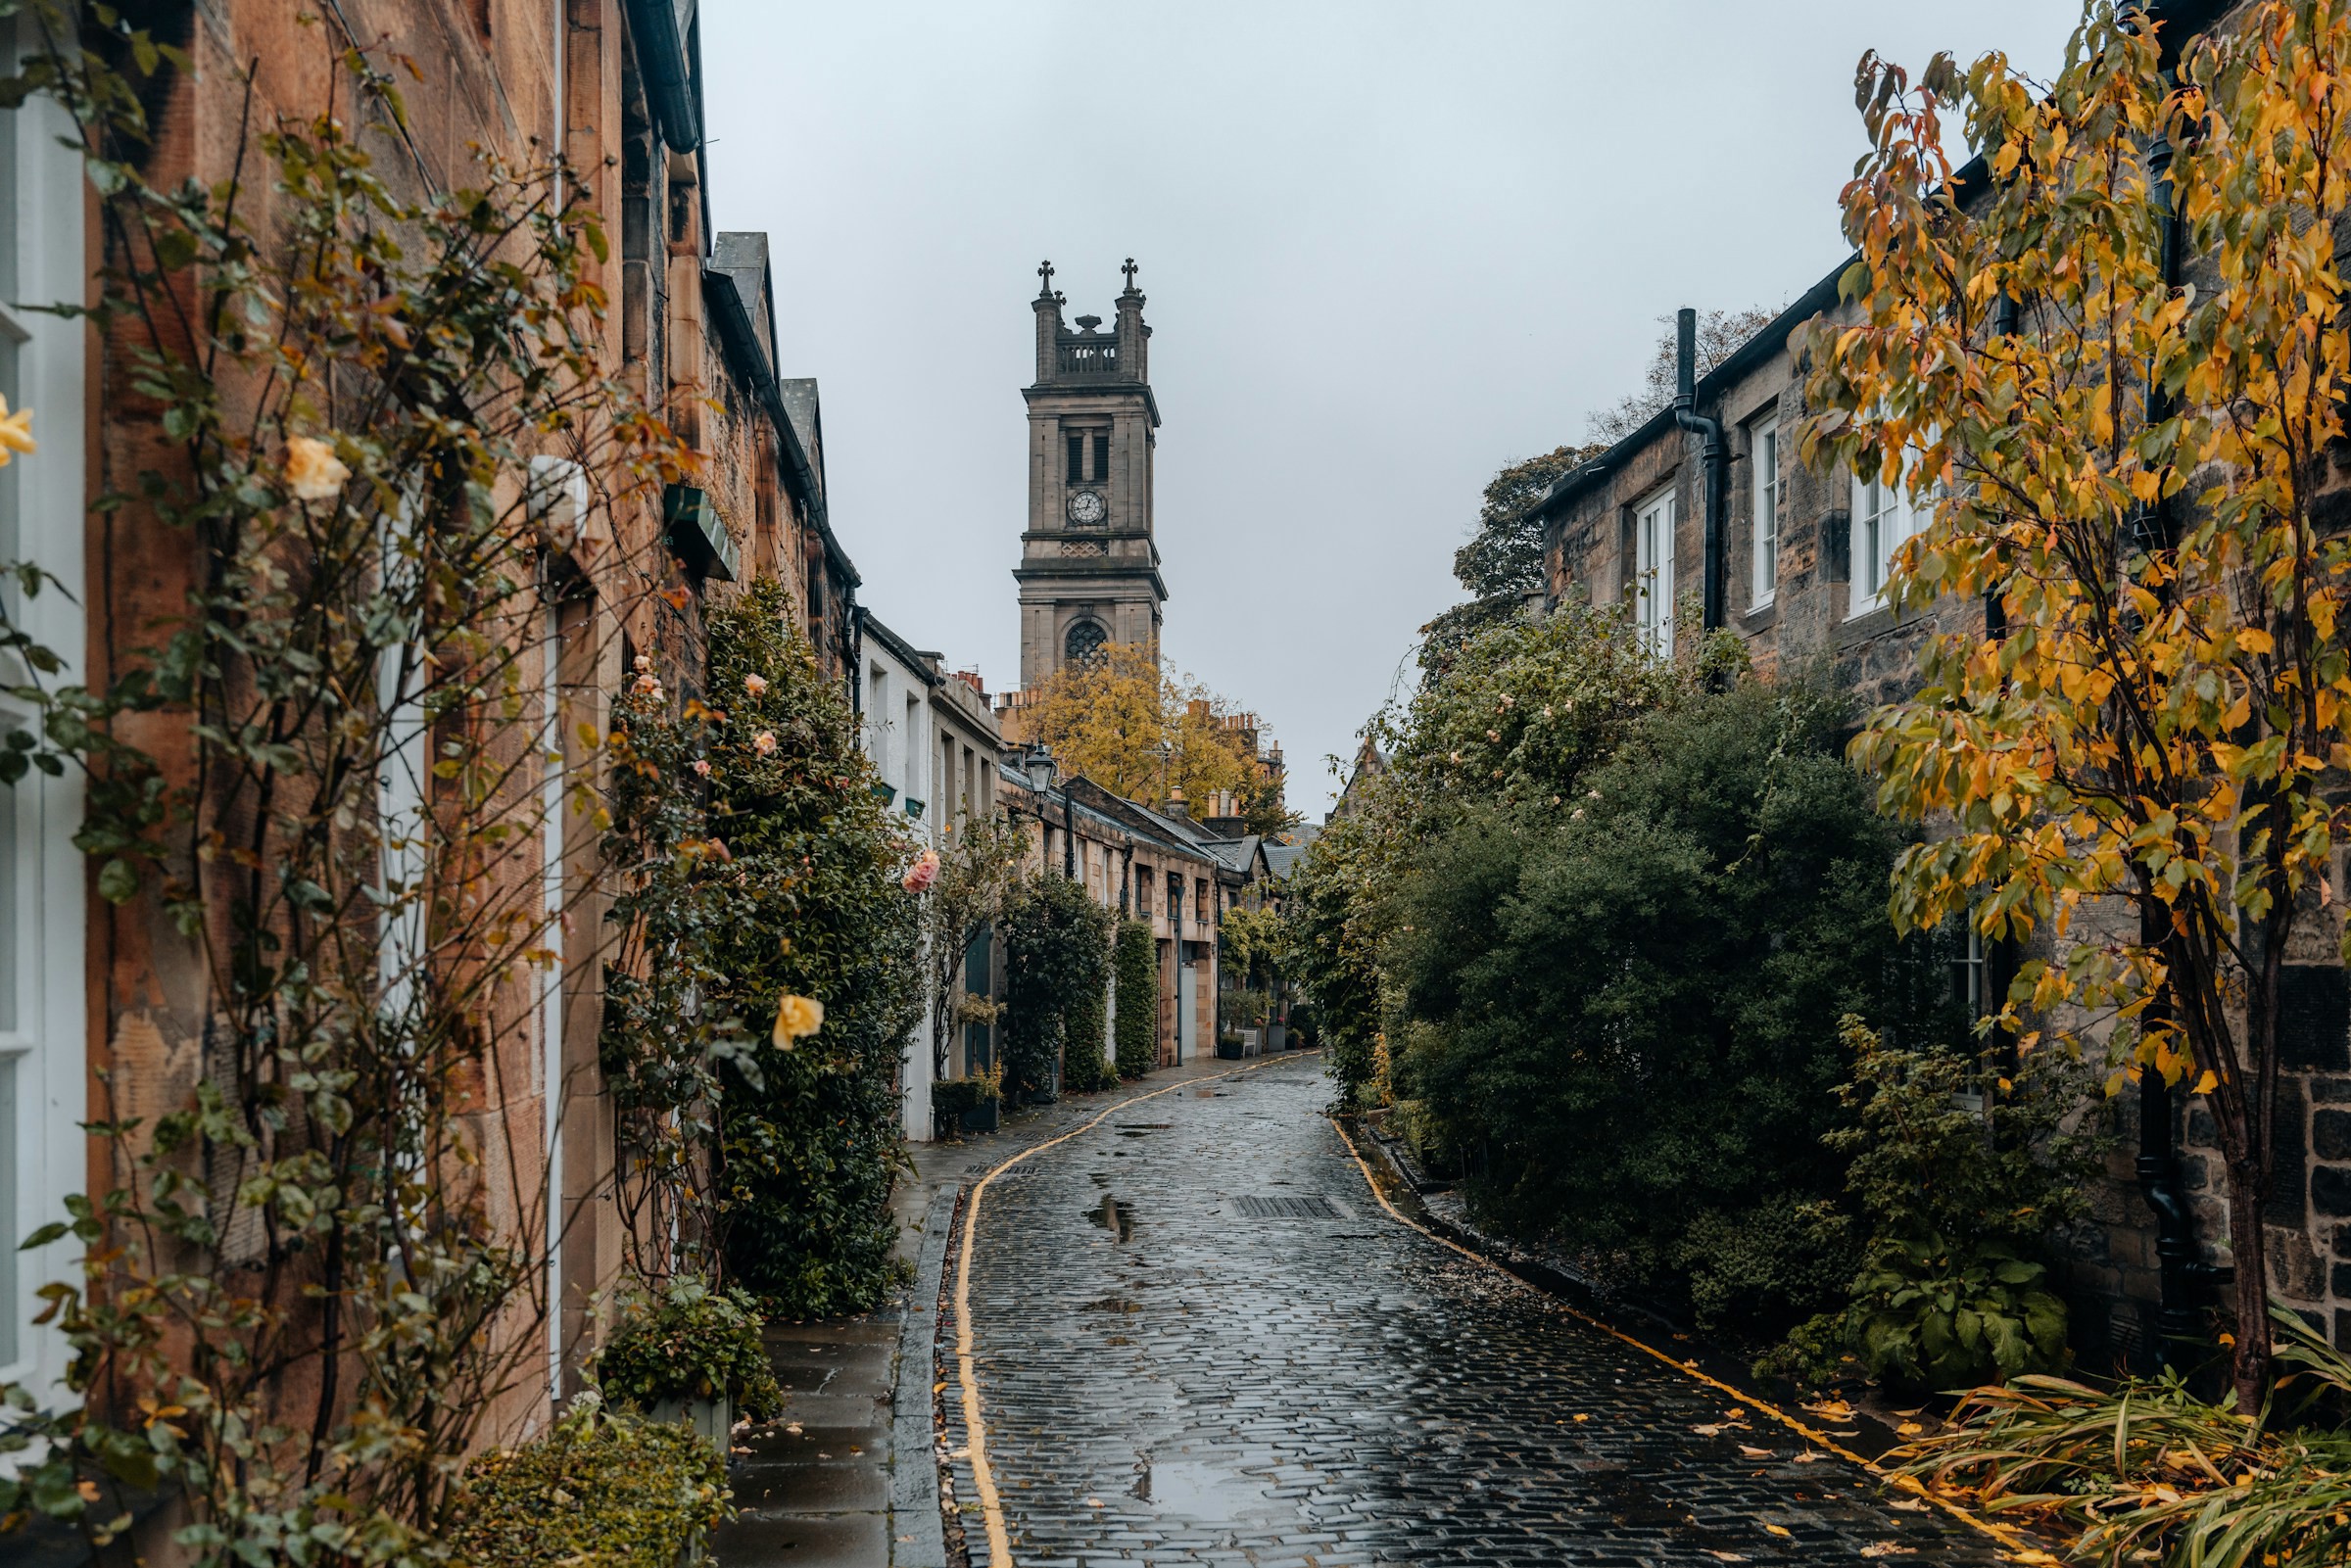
603,1489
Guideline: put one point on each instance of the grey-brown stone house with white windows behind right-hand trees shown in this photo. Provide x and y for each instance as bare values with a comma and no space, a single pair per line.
1797,565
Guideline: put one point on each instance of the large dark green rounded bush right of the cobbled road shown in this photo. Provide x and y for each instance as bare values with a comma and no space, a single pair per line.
1626,1005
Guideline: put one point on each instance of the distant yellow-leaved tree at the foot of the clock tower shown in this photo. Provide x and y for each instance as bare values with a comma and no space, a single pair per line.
1141,735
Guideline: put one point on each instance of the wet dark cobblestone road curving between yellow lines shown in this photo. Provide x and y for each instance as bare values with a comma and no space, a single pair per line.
1200,1341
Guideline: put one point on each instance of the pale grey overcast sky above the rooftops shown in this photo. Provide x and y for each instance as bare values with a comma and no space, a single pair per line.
1388,250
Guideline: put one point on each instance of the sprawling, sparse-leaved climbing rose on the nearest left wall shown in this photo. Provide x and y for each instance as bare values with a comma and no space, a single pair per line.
297,1299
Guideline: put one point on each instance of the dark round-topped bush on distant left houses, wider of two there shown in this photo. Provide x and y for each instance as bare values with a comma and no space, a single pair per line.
1057,965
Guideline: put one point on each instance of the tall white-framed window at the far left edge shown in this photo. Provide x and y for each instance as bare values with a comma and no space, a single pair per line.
43,1024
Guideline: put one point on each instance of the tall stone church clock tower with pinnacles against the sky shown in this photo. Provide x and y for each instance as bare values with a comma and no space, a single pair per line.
1090,570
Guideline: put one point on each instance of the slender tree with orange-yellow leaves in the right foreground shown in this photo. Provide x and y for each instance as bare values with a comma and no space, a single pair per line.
2115,356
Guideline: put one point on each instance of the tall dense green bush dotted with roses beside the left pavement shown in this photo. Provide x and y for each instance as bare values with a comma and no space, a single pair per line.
808,869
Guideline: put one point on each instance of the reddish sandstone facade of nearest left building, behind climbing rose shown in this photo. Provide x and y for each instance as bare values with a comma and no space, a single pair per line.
692,330
